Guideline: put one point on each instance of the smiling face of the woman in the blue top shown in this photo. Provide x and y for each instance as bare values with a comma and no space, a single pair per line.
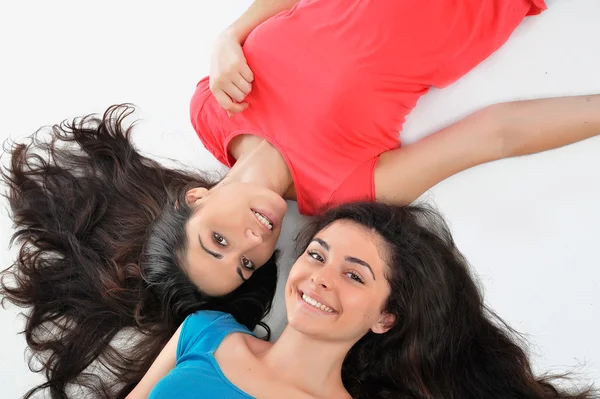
337,288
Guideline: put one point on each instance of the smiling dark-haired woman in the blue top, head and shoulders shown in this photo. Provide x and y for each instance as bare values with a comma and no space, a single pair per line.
380,304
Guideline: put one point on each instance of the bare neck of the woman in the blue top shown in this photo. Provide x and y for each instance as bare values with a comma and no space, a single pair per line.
312,365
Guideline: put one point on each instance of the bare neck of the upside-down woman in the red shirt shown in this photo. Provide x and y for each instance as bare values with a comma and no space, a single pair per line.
261,164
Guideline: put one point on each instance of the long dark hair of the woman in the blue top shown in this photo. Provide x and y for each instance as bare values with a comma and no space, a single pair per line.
445,342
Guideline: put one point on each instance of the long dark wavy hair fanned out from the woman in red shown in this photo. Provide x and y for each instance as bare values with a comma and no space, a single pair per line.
100,231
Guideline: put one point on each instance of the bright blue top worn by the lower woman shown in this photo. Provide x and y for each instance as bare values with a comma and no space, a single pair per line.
197,373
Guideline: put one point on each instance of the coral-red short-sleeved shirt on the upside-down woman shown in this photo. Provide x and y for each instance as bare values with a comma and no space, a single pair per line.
335,79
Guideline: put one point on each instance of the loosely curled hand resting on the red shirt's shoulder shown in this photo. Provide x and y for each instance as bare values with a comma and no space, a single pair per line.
230,78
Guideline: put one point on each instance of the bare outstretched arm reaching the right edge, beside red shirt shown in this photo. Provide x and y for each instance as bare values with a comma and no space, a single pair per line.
498,131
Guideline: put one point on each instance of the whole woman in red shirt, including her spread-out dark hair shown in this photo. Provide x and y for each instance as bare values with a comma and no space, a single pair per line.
101,228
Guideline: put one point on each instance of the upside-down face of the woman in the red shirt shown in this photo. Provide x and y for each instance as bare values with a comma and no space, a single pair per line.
232,232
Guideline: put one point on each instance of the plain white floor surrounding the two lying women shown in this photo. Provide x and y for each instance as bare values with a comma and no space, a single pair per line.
530,227
